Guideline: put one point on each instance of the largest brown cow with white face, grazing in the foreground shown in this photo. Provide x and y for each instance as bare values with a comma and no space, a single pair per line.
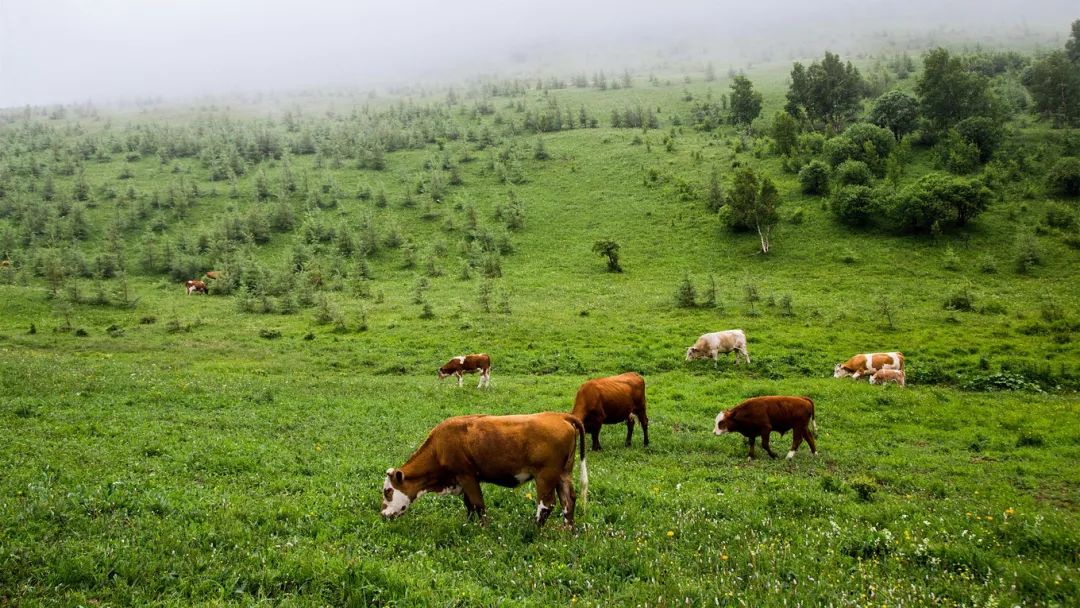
506,451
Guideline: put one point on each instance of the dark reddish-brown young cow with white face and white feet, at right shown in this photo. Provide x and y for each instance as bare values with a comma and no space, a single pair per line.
761,416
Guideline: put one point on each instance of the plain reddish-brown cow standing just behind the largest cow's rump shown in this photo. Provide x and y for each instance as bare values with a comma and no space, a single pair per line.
611,401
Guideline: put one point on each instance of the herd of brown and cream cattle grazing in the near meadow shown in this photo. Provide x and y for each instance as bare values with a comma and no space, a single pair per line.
509,451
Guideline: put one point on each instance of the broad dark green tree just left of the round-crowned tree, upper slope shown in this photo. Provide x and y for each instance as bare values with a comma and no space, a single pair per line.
829,91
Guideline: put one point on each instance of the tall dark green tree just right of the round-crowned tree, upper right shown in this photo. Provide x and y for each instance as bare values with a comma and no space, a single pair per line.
950,91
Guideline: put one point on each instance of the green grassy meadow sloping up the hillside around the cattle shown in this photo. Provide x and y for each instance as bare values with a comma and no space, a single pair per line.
231,450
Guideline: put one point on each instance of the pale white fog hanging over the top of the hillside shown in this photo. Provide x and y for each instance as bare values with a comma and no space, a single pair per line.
62,51
